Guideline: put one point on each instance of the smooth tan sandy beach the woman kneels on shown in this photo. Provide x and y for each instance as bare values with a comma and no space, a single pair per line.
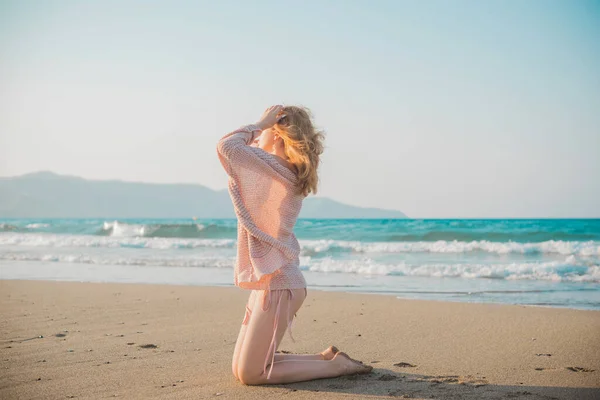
64,340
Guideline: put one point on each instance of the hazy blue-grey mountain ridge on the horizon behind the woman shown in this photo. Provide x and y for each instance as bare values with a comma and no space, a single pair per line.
49,195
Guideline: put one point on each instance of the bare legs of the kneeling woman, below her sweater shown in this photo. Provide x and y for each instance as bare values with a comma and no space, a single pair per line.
257,342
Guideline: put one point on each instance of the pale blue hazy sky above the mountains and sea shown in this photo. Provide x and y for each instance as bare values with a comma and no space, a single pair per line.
439,109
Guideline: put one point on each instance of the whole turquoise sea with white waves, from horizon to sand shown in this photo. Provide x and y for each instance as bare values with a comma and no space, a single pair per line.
536,262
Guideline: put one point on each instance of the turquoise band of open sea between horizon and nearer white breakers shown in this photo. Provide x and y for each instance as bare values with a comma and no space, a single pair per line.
376,231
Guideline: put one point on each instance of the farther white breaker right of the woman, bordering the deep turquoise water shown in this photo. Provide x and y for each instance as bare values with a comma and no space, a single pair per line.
327,247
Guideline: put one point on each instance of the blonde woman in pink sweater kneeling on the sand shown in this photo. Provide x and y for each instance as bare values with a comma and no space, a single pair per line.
272,167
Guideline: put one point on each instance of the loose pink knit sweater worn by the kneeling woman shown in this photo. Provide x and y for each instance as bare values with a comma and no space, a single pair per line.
267,202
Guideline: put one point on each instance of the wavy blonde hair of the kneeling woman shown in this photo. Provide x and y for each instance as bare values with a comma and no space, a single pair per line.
303,145
